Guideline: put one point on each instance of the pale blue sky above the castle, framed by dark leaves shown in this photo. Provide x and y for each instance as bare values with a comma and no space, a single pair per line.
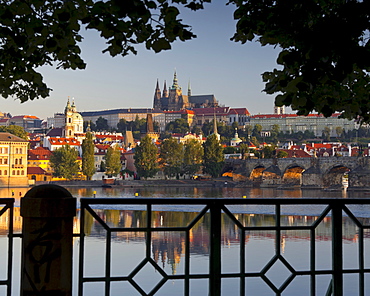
212,63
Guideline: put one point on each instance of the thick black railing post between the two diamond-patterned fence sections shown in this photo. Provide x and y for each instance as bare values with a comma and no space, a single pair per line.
215,251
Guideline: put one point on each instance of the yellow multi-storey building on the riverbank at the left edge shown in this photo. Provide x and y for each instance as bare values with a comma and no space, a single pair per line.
13,161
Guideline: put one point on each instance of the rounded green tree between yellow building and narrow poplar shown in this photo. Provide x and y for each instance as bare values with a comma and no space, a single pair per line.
64,163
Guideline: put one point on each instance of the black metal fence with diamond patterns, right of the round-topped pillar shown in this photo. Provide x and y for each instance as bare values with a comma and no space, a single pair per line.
215,208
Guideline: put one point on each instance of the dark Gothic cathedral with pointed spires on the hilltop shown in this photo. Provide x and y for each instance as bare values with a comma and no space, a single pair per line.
174,100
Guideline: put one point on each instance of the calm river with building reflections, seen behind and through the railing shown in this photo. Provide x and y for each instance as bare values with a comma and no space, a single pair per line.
167,249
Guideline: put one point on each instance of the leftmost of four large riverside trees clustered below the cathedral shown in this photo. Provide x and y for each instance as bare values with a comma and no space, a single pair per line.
146,158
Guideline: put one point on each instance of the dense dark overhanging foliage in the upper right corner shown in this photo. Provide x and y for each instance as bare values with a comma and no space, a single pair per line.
325,52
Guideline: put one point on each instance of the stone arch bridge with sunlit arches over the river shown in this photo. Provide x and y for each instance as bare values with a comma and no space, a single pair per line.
308,172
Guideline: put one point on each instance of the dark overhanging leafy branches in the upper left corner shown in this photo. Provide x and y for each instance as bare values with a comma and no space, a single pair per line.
35,33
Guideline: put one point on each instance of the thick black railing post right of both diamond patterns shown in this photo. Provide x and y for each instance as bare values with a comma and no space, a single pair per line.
337,249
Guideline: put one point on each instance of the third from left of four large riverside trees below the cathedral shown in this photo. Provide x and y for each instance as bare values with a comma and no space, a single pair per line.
193,156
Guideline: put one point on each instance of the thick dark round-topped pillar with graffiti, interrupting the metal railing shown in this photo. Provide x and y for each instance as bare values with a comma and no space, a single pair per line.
46,267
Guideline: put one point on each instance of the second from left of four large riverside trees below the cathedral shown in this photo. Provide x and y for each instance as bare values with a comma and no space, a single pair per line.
171,157
